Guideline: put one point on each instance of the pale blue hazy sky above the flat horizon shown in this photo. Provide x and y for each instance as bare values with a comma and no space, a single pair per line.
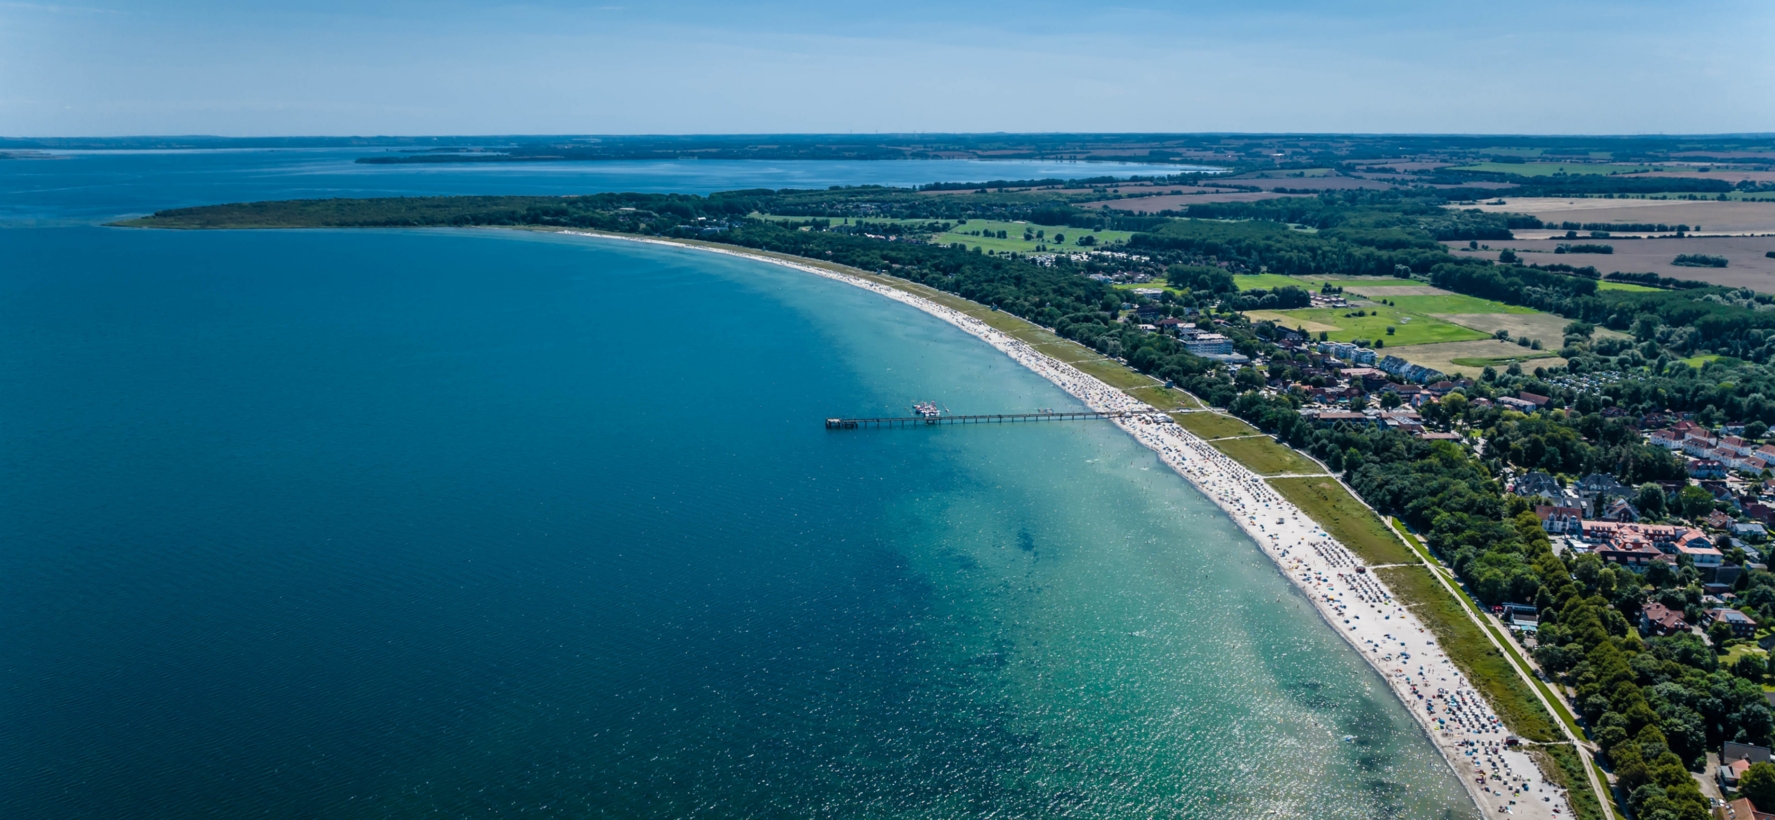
107,68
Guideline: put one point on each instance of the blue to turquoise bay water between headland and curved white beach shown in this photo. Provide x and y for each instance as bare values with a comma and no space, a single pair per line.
478,524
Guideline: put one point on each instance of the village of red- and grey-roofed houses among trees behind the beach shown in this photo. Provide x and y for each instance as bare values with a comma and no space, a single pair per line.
1707,532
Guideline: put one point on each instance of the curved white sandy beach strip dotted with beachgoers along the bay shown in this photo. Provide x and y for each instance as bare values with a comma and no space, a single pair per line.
1453,714
